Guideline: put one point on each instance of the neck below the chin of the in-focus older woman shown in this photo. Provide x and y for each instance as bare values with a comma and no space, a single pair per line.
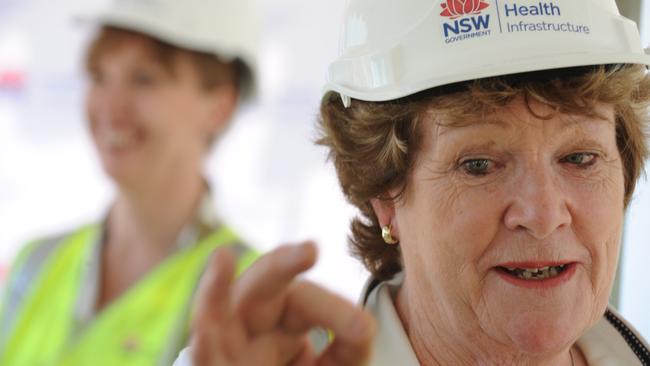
437,342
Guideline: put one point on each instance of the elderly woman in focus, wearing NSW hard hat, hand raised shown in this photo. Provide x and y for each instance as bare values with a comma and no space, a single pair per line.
491,148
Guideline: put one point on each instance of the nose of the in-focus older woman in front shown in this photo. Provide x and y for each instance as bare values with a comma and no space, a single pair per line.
538,204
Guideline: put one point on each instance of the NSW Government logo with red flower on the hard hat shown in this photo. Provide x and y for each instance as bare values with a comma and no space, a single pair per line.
465,20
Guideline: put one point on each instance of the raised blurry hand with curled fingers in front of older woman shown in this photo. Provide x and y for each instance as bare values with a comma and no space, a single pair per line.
263,318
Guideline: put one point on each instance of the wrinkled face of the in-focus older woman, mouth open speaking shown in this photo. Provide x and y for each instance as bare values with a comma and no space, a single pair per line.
510,226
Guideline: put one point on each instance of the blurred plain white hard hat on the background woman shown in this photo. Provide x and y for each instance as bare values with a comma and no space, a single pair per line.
225,28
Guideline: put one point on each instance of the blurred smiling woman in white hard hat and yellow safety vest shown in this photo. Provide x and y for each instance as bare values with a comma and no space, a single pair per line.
165,80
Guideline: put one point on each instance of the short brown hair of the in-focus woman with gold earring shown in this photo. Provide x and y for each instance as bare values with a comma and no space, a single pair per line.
374,144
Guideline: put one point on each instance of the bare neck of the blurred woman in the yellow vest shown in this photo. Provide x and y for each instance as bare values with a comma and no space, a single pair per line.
142,230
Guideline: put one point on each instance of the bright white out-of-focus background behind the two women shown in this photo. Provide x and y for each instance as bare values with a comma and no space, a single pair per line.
270,182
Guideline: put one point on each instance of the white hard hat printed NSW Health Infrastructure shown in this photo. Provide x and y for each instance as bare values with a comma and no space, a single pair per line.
391,49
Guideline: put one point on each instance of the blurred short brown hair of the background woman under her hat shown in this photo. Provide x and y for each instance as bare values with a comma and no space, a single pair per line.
213,72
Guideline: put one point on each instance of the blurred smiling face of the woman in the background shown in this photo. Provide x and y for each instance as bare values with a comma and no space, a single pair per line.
147,122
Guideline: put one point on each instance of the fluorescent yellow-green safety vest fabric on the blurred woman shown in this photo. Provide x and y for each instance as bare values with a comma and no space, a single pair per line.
135,329
